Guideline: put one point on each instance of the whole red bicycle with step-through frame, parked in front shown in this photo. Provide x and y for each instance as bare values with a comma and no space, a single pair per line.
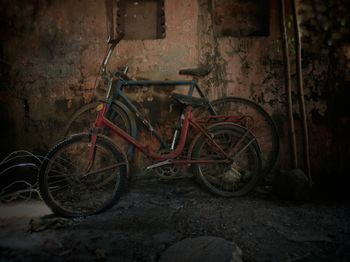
86,173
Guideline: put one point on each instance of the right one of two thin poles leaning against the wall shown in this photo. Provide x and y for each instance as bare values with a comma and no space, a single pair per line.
306,147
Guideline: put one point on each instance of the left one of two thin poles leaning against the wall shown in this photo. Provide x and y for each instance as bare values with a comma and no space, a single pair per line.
288,85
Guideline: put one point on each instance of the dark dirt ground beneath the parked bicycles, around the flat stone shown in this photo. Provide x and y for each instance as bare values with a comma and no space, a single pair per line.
154,214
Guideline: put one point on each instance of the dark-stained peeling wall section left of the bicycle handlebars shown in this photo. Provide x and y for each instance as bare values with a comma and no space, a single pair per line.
52,51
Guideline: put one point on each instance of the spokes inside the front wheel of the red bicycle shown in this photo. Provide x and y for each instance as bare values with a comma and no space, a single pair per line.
73,187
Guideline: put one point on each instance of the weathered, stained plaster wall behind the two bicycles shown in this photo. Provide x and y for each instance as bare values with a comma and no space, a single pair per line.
51,51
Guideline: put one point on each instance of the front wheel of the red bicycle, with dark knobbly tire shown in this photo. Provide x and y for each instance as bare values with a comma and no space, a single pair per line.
82,195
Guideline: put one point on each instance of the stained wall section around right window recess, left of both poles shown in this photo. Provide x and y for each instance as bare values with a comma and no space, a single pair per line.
250,67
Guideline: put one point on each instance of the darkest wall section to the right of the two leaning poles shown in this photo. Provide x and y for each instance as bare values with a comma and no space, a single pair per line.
326,69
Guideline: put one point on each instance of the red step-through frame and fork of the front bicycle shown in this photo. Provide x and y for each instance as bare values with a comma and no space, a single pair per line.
189,120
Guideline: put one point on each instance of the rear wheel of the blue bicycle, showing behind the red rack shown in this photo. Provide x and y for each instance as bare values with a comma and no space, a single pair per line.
264,129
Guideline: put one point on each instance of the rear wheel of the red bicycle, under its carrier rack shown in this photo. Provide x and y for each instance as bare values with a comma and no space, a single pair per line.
228,180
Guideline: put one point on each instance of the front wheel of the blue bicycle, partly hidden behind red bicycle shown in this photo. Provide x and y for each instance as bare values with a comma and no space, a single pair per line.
84,119
